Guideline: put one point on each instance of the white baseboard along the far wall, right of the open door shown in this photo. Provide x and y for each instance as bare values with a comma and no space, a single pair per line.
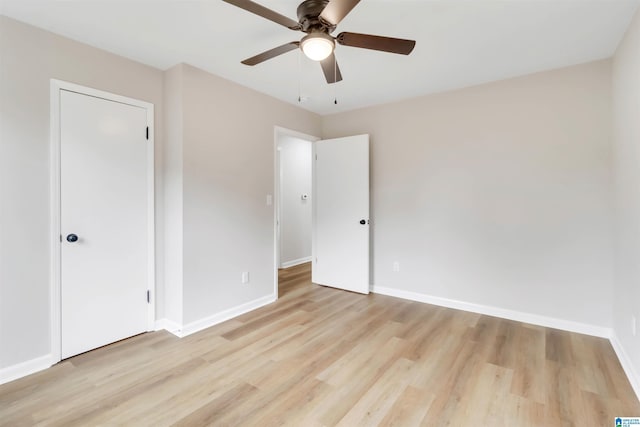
519,316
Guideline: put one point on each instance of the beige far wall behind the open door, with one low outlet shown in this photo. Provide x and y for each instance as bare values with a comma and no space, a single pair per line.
496,195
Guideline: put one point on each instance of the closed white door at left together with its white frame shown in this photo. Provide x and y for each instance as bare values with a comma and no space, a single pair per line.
102,218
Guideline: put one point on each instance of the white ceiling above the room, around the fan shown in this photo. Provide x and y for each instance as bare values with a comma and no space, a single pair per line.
459,43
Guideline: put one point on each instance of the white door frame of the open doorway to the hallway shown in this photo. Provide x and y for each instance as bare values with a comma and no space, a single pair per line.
279,132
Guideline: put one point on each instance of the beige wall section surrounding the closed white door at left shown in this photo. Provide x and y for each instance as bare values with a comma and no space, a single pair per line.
30,58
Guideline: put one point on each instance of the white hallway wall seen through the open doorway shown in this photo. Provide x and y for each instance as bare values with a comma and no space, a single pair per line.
295,211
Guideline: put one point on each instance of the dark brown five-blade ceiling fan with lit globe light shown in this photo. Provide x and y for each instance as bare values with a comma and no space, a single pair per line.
318,19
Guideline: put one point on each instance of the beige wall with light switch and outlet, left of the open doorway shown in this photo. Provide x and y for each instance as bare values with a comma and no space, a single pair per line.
228,172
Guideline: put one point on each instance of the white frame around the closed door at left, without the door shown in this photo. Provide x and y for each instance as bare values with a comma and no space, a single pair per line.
55,280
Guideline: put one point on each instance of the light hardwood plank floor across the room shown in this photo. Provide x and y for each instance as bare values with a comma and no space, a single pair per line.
320,356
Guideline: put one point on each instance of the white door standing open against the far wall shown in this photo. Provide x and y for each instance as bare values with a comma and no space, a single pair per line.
341,213
